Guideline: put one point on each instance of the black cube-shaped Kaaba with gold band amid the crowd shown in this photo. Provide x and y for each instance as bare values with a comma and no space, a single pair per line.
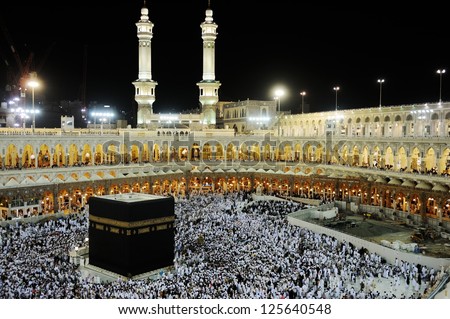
131,234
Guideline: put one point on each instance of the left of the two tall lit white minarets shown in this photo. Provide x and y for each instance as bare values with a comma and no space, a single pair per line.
144,85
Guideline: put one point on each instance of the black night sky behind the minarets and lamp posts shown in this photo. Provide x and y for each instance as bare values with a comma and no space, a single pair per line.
307,45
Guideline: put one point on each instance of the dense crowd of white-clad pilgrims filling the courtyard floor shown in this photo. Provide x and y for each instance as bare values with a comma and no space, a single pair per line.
226,246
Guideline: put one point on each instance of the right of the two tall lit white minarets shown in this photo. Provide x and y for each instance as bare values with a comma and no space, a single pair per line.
209,87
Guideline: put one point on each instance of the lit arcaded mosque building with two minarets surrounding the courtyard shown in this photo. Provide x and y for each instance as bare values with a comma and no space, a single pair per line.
394,159
